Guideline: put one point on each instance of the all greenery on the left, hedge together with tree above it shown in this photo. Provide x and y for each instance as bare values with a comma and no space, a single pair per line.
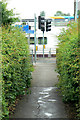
15,59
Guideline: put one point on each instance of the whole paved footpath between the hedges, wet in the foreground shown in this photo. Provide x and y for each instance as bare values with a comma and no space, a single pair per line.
44,100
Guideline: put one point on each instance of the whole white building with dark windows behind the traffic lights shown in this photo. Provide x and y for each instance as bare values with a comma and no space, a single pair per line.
50,39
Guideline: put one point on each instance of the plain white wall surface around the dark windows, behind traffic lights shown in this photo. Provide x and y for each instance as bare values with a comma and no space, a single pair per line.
52,40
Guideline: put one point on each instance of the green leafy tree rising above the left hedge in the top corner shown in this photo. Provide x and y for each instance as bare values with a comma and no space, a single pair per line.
7,16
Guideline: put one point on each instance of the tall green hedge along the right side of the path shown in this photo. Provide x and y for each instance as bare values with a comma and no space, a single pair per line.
68,64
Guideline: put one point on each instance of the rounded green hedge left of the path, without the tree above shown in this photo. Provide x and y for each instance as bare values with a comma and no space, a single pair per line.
16,67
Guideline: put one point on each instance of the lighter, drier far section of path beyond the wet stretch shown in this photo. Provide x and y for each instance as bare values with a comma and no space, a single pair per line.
44,74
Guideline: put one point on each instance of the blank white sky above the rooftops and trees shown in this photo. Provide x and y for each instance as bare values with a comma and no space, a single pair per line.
27,8
